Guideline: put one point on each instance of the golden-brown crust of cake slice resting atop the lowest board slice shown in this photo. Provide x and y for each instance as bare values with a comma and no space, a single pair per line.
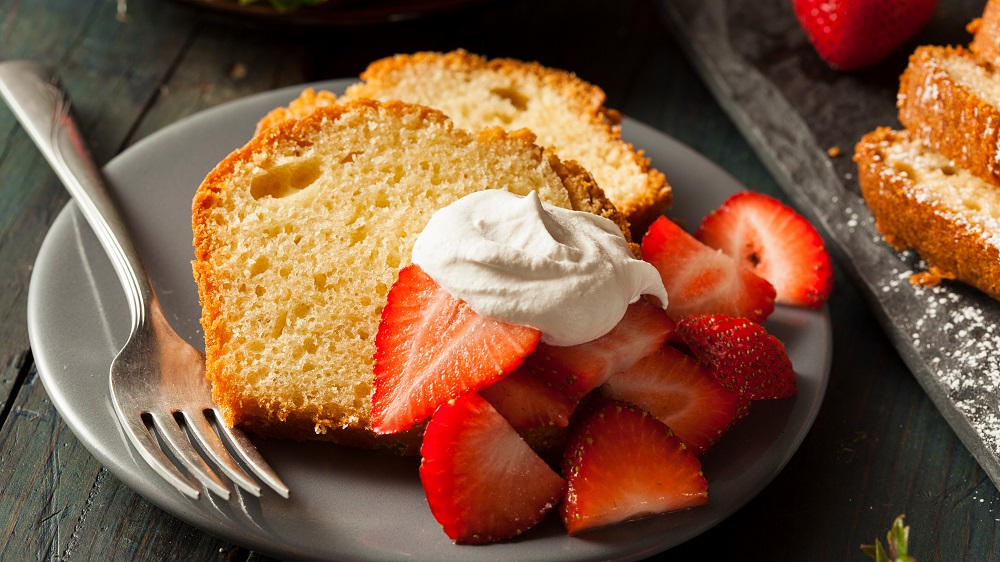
948,116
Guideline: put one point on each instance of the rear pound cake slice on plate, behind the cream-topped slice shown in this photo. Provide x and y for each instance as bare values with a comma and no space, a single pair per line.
567,114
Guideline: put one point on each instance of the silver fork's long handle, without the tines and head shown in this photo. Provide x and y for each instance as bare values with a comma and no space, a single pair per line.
42,107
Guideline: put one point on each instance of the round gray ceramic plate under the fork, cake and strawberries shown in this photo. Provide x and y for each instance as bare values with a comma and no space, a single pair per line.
350,504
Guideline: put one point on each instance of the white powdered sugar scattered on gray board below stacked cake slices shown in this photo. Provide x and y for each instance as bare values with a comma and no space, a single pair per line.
953,329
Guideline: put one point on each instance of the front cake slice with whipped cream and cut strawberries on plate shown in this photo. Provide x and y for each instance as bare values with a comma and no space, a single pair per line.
373,274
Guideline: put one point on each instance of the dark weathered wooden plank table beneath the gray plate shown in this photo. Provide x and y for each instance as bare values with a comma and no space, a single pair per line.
877,449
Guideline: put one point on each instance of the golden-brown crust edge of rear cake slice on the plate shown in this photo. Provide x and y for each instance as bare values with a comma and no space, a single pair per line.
640,209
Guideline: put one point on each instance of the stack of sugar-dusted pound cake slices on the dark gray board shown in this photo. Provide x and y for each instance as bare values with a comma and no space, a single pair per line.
935,187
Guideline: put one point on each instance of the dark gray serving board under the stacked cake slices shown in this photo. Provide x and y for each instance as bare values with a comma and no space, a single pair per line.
792,108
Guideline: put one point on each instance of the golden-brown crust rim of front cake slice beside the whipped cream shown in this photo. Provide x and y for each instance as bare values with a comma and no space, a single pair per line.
248,411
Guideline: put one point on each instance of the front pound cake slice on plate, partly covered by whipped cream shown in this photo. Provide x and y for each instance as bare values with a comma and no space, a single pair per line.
300,234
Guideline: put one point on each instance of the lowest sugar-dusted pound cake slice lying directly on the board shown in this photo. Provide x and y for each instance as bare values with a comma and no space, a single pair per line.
924,201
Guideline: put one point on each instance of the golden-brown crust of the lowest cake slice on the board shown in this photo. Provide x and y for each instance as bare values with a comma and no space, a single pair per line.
908,221
